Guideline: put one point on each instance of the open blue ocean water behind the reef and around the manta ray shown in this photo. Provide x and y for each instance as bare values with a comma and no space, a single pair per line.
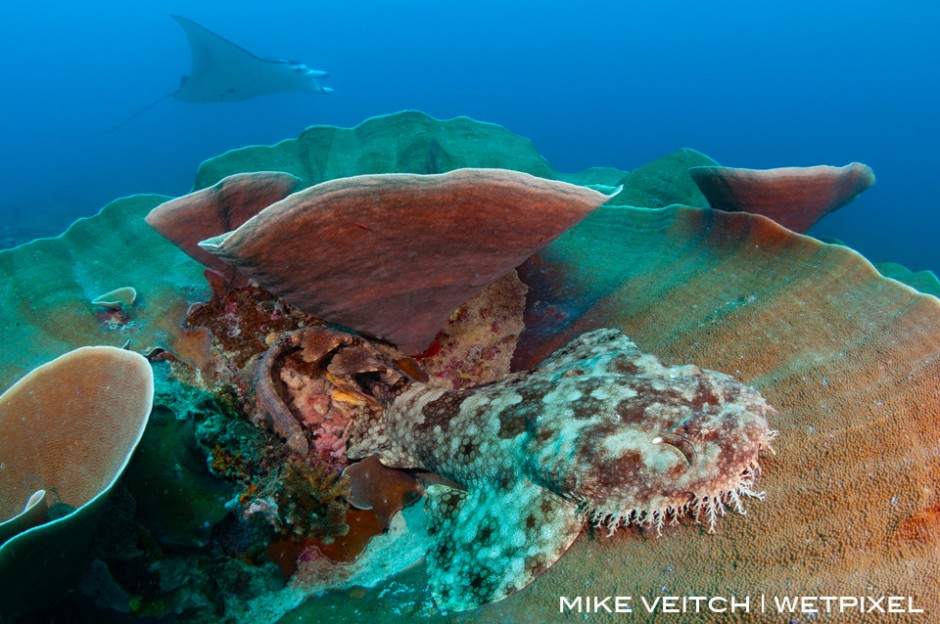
752,84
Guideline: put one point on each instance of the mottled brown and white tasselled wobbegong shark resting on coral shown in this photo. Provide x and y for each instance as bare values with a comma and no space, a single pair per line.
599,432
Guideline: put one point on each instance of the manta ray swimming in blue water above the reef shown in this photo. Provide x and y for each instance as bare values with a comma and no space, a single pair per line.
223,71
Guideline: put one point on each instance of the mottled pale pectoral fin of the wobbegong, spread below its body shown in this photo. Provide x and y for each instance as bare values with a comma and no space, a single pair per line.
487,543
